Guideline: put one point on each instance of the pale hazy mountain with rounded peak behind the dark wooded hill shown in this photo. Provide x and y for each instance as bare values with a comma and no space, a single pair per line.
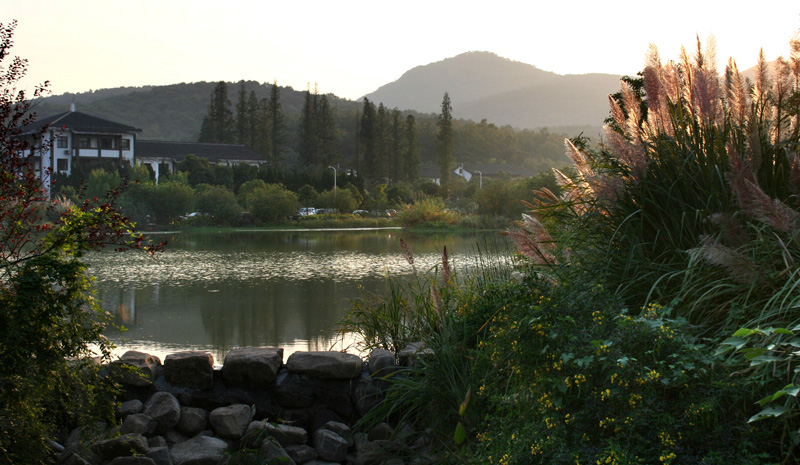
505,92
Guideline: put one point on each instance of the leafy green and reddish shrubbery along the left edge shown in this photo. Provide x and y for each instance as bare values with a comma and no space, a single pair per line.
50,323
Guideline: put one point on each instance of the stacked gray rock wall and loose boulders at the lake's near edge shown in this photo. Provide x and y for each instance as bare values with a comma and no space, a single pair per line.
188,413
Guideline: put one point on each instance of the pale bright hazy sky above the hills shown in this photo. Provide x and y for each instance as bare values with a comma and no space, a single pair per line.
352,47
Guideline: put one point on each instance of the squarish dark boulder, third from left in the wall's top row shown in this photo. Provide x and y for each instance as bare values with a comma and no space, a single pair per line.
254,367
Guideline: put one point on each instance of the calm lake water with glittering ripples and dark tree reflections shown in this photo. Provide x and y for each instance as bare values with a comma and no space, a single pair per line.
214,291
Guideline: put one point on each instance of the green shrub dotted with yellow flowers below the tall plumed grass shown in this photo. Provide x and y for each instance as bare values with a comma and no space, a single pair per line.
573,378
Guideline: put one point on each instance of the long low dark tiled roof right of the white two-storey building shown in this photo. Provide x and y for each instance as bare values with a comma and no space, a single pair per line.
179,150
